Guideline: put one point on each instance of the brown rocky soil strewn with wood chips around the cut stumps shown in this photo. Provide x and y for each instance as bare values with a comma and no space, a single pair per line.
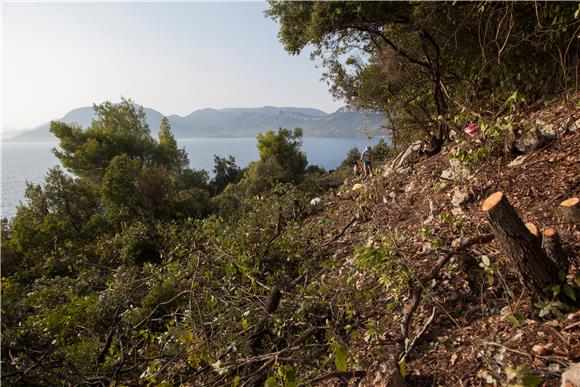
485,329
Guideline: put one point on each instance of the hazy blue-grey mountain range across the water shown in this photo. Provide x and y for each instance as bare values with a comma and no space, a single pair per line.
238,122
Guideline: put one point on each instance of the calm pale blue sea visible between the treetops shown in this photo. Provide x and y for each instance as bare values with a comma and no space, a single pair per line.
22,162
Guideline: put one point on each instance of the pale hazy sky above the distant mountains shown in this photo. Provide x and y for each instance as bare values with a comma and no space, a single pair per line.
174,58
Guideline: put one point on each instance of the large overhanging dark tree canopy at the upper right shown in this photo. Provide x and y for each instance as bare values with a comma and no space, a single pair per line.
423,63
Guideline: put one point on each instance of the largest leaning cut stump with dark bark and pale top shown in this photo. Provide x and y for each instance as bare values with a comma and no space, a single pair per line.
535,269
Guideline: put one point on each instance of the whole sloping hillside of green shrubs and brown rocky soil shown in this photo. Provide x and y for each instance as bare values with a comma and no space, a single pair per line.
328,282
